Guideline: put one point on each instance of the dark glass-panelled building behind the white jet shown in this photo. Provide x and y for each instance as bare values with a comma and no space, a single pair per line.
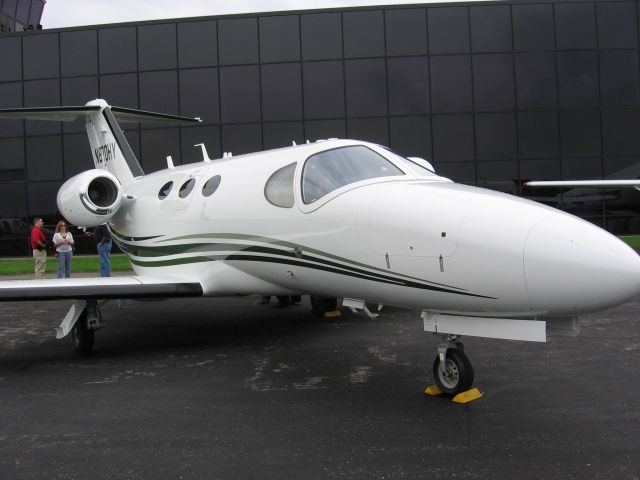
492,93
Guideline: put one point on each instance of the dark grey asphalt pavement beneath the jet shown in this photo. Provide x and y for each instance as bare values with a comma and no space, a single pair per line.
231,389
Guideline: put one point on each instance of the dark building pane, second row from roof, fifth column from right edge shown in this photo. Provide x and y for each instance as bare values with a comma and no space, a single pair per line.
451,84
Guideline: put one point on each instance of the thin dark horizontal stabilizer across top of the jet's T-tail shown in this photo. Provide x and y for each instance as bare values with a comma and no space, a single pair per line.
69,114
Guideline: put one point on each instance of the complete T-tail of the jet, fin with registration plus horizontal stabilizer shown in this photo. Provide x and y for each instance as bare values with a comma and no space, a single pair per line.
109,147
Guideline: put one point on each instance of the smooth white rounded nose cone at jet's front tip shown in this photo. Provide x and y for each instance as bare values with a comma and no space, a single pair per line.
574,267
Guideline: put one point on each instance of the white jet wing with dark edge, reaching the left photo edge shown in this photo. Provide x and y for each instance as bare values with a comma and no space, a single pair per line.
101,288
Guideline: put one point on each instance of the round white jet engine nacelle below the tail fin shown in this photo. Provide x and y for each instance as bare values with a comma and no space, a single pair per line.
90,198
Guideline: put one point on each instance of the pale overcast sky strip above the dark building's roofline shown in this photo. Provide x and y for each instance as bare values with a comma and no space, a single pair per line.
71,13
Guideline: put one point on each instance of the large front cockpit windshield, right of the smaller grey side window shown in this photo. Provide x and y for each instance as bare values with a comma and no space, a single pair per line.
327,171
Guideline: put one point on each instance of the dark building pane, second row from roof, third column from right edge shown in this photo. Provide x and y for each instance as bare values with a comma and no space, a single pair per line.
536,81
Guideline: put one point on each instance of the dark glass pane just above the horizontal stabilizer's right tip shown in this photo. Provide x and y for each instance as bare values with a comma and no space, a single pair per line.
199,94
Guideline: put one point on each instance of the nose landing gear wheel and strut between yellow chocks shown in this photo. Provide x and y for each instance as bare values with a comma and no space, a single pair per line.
452,369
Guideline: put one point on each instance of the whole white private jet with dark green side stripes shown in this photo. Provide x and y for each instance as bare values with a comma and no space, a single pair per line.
333,219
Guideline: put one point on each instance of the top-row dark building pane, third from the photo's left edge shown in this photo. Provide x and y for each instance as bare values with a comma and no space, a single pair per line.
79,53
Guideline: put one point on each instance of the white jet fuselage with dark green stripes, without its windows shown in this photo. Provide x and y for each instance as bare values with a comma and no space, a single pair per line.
416,241
